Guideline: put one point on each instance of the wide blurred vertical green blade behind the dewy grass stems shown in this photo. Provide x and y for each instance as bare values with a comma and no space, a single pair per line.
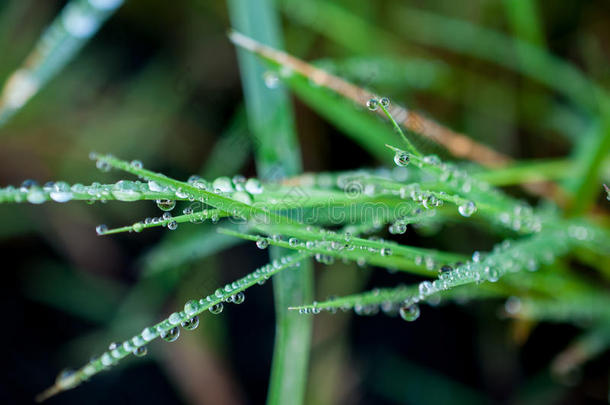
277,156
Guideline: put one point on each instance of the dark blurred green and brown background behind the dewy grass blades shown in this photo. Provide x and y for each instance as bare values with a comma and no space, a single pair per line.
160,83
